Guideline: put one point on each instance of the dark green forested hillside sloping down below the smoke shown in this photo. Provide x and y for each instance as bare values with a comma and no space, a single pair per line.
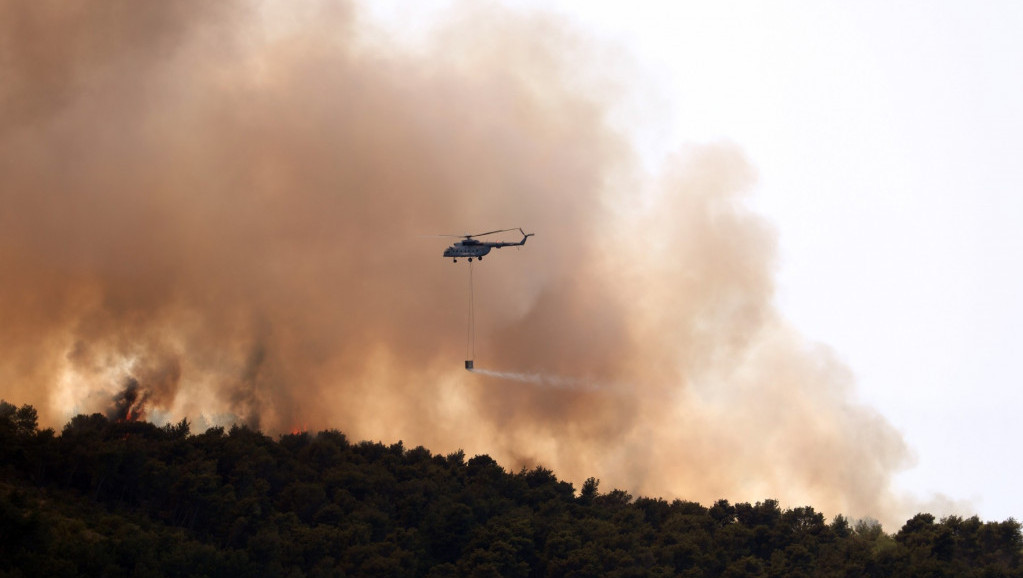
130,499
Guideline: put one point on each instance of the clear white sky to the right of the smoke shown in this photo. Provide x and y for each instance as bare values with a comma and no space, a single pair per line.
888,139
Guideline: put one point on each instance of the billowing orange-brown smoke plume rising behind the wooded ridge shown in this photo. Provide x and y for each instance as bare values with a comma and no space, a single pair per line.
227,208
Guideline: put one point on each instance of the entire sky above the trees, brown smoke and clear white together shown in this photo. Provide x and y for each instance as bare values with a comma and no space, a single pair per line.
776,248
